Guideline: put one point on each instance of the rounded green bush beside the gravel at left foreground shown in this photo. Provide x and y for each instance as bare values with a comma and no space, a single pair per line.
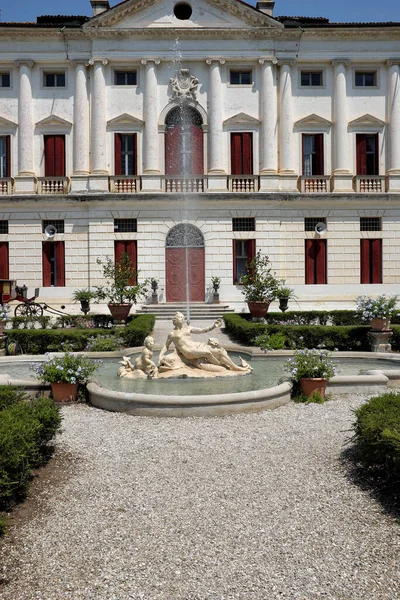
26,428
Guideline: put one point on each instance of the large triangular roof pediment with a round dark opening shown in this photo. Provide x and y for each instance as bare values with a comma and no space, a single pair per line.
206,14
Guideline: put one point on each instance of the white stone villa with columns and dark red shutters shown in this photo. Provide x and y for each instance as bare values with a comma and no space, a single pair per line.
289,121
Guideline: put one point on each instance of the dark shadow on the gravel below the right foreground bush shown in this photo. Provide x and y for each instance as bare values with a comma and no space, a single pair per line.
384,492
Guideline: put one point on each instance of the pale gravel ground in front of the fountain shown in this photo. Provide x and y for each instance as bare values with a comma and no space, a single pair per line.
249,507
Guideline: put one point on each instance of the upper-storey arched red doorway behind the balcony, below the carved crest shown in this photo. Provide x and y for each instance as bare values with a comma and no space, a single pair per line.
184,148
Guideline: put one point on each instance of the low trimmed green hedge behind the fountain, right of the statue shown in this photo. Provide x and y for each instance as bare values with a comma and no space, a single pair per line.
240,328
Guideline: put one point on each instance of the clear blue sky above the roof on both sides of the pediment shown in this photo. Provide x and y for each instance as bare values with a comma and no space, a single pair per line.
335,10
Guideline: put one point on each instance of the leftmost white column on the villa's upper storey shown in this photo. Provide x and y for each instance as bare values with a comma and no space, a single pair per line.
25,119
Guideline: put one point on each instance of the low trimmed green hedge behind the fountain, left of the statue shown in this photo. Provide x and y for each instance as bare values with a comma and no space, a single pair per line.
40,341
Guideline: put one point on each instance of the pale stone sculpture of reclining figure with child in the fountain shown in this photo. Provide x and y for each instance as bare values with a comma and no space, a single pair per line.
187,359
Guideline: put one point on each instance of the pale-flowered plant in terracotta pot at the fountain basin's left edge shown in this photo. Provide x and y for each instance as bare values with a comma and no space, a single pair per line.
65,373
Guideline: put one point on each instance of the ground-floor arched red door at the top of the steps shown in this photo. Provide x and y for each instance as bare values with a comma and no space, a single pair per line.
184,264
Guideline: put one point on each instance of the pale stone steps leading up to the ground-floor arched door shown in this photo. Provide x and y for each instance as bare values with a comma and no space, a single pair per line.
198,310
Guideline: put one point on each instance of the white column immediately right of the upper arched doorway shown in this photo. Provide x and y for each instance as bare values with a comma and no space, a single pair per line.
215,111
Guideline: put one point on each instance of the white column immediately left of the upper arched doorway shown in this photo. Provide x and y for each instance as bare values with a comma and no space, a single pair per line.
151,158
